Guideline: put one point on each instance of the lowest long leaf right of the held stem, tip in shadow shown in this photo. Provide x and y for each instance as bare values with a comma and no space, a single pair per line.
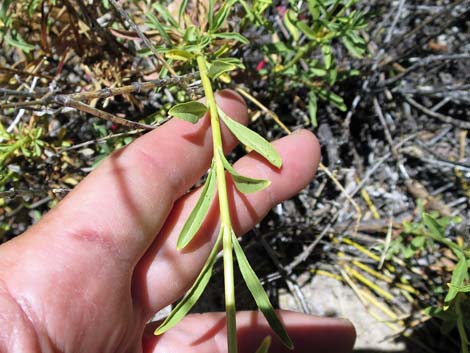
258,293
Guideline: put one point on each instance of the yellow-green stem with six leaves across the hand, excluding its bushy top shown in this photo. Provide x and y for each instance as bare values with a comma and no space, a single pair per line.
216,180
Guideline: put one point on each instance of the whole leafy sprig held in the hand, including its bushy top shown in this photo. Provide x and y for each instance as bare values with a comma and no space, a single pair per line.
196,49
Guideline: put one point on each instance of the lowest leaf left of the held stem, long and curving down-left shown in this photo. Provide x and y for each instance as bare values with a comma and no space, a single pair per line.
194,293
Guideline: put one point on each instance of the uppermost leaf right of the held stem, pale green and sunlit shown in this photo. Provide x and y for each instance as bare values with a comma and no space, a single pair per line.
252,139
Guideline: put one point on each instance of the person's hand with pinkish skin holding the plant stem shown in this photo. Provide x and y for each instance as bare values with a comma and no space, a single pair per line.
95,269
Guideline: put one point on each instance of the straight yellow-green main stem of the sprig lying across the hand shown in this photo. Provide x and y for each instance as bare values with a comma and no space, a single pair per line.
225,222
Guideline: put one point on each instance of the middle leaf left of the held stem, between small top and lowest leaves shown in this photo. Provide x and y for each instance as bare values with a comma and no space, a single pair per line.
199,212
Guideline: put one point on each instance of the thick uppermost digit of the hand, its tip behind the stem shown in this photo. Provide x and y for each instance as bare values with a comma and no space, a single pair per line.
121,206
